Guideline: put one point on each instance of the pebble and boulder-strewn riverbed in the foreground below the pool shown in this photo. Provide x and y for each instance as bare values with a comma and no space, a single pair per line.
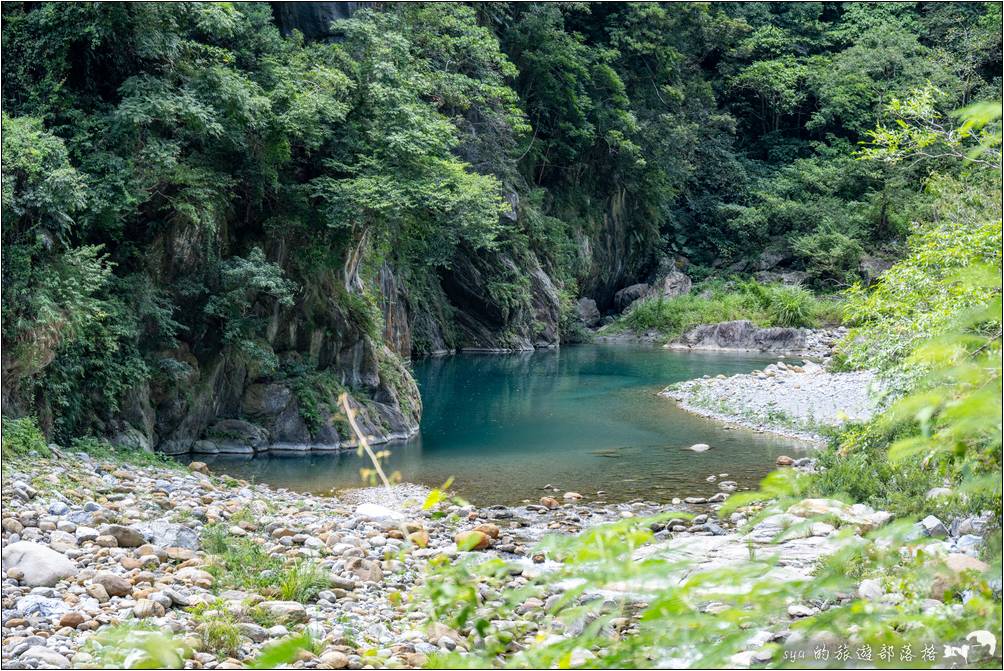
90,544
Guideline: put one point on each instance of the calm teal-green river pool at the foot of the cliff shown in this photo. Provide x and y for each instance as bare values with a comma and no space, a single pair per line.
585,418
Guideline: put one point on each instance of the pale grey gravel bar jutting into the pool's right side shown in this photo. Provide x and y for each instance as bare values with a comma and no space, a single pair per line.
796,400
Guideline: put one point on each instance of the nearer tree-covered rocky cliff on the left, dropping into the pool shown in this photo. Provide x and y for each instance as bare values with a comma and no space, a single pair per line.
202,254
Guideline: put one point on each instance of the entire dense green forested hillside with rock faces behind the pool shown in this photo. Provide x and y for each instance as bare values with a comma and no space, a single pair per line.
219,216
